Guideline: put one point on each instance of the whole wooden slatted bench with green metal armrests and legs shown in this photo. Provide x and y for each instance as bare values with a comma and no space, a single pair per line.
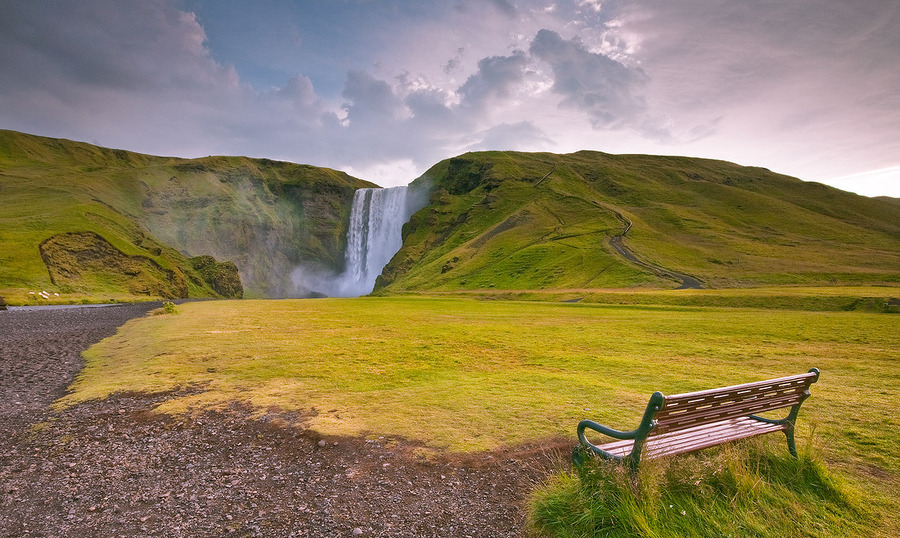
697,420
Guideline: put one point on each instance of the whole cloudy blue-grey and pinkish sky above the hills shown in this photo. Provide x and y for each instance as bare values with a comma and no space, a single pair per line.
383,89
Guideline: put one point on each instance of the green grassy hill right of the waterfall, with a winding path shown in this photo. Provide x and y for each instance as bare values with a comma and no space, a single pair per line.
519,221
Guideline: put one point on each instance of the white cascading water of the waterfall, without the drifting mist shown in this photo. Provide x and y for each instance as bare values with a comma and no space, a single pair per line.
376,220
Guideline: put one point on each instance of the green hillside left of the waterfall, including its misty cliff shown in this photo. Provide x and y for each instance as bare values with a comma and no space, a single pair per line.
97,223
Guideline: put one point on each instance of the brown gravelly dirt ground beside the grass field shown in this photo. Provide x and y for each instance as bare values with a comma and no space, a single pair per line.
115,468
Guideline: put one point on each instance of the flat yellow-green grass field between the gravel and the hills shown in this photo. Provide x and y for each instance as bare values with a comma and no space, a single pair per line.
465,375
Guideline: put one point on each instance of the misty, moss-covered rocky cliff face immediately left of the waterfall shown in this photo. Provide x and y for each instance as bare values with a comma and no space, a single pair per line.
267,217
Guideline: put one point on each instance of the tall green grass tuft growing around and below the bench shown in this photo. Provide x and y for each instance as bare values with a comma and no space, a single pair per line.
751,488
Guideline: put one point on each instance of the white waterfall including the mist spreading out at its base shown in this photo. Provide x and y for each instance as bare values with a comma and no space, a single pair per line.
373,237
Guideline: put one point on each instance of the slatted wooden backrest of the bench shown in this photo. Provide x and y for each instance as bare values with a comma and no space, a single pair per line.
682,411
